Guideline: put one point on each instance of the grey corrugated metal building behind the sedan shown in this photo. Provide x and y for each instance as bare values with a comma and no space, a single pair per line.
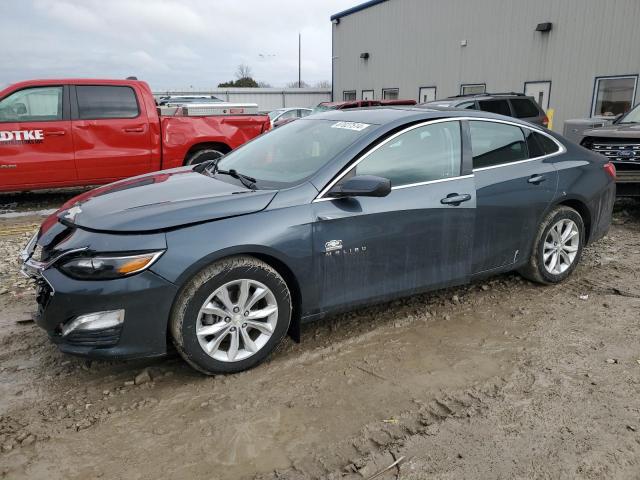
580,58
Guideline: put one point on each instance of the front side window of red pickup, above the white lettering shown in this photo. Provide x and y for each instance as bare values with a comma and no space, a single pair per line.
38,104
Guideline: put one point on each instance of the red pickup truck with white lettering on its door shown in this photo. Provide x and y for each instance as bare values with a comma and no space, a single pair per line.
74,132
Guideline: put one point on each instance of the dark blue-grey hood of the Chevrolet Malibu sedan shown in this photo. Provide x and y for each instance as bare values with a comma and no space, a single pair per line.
160,201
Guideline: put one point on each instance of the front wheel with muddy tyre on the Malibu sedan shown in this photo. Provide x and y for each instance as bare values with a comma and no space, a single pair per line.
231,315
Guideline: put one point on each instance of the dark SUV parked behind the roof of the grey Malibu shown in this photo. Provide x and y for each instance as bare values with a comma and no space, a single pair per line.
511,104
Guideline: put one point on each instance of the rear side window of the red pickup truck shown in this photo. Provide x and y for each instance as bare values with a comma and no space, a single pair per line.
97,102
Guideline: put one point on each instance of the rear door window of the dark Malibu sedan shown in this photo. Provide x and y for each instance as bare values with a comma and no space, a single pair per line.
495,143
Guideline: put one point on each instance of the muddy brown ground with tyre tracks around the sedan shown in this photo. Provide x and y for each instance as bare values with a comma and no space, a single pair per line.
500,379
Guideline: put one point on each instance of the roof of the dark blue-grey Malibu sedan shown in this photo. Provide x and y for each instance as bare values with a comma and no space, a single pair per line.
385,115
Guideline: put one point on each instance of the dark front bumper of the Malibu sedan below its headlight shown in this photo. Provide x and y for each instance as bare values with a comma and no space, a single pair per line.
145,298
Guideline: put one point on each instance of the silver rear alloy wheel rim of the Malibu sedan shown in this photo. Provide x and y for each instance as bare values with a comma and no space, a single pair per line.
561,246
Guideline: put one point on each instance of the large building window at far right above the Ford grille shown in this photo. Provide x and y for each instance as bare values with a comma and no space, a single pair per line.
613,95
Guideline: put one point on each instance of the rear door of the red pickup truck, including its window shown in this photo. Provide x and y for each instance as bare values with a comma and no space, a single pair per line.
111,132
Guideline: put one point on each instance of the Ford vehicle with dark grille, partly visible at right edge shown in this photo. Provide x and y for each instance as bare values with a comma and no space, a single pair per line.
620,144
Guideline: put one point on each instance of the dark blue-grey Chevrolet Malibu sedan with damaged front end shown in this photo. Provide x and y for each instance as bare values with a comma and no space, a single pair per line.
330,212
